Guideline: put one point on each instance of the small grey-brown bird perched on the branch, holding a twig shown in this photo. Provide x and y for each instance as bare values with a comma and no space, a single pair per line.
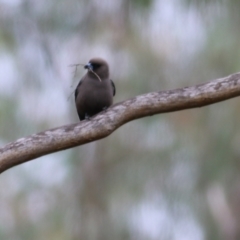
94,93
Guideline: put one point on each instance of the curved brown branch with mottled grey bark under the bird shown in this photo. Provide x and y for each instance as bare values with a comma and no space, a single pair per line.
103,124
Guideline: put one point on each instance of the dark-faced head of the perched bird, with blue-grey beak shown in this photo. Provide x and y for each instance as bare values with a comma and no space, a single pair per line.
97,67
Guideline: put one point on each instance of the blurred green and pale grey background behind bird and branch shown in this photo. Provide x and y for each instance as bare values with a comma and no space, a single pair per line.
173,176
